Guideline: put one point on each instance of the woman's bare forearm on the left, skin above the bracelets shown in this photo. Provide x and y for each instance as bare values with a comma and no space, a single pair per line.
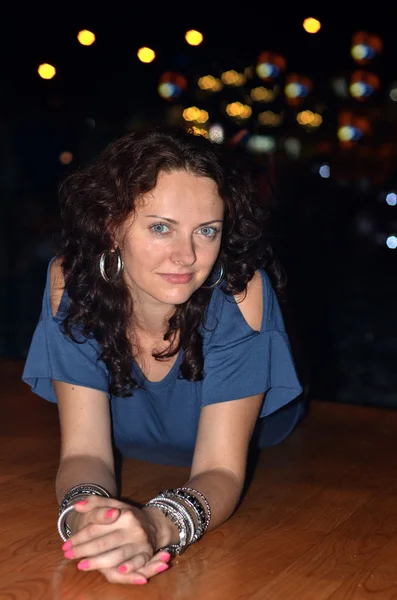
78,469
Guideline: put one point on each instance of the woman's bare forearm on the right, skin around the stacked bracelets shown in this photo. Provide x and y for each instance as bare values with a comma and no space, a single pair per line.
222,490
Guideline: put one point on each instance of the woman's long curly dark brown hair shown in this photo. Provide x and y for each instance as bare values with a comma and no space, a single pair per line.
96,199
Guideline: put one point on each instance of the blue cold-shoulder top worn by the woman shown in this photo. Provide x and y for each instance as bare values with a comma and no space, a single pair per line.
158,423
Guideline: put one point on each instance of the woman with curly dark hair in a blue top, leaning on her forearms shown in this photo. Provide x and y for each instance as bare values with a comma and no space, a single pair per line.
160,337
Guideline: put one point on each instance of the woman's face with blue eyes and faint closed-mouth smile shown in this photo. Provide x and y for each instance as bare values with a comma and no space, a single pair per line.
172,241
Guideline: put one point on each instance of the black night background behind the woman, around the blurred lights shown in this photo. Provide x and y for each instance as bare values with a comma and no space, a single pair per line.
330,233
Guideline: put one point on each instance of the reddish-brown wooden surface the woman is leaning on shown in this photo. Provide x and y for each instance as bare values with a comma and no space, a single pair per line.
319,520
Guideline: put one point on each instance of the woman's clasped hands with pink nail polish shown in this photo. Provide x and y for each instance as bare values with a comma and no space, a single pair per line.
116,539
